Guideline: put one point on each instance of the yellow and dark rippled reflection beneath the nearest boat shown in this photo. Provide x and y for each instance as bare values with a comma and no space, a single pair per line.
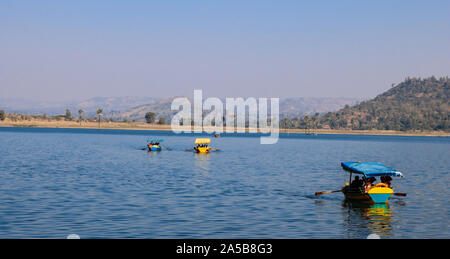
362,220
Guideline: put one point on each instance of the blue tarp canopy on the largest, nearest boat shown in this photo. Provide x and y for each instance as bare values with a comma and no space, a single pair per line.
370,169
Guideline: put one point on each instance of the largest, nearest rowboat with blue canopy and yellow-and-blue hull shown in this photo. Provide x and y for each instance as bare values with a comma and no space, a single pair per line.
380,193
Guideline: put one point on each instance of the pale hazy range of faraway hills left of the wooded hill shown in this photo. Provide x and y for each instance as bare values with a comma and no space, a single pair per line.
134,108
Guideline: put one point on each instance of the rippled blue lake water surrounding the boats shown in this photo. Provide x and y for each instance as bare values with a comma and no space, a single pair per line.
100,184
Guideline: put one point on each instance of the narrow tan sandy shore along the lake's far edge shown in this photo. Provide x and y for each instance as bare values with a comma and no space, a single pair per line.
145,126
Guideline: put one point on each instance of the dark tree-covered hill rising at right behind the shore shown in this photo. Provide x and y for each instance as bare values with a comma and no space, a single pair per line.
415,104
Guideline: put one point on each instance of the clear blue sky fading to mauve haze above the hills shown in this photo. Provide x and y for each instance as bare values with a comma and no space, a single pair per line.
69,50
